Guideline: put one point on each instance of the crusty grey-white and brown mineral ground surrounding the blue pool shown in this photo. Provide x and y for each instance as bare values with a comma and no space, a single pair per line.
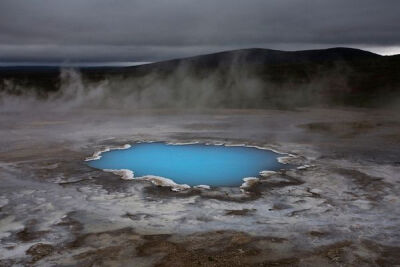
340,208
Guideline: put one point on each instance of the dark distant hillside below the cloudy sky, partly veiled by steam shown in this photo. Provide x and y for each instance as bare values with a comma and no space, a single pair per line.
336,76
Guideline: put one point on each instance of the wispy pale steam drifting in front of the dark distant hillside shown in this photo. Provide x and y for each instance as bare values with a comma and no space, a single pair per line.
185,87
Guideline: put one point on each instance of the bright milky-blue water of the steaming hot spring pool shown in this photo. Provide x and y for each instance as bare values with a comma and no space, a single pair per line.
195,164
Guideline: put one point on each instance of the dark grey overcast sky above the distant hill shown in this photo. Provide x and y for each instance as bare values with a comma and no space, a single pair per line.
152,30
